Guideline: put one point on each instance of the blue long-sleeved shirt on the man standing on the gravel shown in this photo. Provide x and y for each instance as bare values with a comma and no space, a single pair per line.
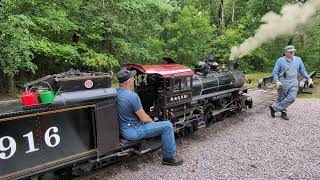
289,70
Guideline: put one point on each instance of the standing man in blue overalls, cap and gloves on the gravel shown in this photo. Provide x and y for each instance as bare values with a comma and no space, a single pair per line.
285,75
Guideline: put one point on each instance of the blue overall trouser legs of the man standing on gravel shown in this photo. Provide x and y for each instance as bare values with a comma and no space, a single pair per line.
286,95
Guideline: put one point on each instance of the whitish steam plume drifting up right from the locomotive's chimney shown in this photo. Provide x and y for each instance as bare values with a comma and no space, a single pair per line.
290,17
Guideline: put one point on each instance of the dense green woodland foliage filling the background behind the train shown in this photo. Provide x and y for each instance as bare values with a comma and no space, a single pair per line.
39,37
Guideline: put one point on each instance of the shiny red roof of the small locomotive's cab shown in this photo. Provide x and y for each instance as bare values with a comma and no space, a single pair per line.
165,70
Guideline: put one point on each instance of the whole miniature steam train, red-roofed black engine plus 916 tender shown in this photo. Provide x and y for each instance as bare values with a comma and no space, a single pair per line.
78,131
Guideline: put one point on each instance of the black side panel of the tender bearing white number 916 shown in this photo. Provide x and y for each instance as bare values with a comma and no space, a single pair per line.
73,127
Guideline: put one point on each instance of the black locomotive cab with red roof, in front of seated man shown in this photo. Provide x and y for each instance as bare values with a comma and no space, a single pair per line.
165,90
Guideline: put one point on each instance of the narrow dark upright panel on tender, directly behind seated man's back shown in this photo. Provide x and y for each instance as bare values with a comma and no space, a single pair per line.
107,127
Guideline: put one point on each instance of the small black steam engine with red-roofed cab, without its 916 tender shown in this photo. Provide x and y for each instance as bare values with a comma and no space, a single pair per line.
172,91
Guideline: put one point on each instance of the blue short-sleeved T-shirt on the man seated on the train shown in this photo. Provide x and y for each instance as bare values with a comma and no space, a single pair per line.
128,102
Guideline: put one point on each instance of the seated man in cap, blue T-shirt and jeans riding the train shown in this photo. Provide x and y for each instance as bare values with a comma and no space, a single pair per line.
136,124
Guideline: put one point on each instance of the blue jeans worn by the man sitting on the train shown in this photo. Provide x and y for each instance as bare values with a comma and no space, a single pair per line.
149,130
